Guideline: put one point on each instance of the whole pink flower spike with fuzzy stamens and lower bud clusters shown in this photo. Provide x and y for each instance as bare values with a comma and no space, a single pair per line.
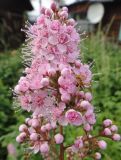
56,91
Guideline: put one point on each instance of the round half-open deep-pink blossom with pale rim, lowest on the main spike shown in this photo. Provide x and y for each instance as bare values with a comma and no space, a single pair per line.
74,117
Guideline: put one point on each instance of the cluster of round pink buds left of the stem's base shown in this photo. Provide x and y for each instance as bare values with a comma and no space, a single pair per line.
38,136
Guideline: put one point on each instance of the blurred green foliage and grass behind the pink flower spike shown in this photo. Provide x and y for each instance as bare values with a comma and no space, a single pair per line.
106,60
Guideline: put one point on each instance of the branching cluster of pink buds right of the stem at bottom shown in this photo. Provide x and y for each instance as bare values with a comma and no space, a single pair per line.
84,145
